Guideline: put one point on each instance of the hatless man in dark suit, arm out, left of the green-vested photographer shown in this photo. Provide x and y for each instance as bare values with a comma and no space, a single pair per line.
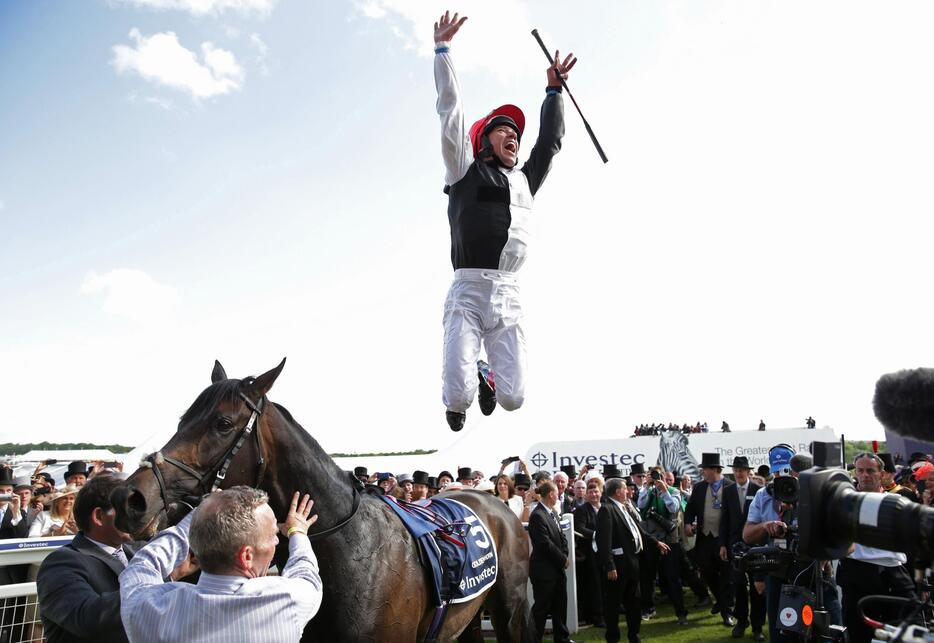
620,541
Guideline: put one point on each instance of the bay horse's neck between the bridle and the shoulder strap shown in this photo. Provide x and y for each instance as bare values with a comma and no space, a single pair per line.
302,465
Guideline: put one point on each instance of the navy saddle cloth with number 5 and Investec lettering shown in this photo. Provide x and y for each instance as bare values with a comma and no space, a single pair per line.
457,545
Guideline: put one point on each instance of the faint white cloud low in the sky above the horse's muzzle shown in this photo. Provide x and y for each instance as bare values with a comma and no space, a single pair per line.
132,294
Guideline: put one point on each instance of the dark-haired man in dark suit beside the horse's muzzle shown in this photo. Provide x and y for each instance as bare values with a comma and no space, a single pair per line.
79,594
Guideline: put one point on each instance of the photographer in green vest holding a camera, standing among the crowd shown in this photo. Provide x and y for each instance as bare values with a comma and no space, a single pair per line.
661,506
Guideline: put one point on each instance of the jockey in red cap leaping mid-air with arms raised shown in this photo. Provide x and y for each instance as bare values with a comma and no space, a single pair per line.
489,207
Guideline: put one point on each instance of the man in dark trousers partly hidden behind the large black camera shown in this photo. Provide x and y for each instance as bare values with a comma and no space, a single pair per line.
867,570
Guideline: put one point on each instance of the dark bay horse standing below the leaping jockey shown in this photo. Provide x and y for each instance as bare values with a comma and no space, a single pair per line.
375,588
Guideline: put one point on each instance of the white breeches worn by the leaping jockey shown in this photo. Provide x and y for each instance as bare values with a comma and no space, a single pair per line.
483,305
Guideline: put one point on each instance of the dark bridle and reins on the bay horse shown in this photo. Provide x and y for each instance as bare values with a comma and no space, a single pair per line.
220,467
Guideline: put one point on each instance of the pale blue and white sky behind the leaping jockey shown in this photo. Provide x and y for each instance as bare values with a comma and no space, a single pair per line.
268,183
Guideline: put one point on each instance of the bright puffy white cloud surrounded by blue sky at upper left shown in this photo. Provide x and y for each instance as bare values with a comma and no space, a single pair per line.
161,59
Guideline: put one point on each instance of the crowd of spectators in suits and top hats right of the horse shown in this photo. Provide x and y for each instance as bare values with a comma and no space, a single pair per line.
687,532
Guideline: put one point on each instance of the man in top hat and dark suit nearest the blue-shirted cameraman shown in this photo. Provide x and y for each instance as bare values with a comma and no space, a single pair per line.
749,603
